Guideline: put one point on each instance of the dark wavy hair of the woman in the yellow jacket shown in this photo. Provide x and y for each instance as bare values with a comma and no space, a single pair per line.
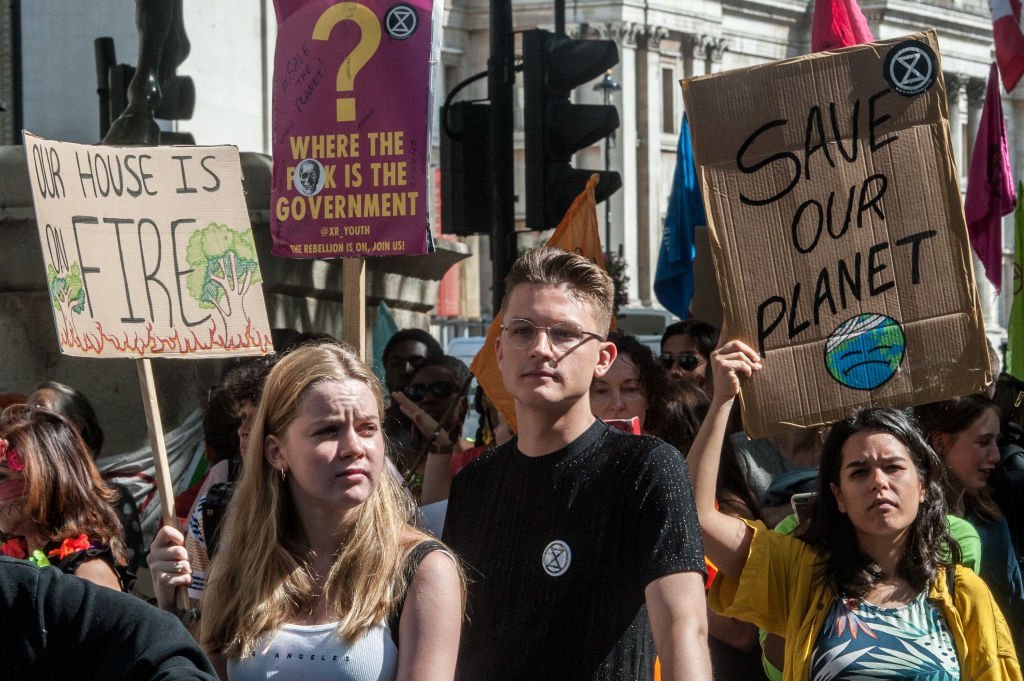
845,568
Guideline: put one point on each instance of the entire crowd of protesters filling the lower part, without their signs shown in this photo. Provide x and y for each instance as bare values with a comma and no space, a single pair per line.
619,525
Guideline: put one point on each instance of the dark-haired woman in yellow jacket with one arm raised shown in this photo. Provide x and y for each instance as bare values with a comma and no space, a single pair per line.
872,590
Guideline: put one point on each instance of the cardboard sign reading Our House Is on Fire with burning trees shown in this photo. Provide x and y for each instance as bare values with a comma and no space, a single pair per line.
149,251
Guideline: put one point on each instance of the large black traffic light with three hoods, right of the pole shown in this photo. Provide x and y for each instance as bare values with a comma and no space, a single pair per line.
556,129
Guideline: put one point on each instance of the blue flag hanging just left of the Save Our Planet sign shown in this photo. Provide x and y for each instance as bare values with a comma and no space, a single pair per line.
674,277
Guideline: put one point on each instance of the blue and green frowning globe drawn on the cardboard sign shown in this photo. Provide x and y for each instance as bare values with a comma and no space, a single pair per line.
866,351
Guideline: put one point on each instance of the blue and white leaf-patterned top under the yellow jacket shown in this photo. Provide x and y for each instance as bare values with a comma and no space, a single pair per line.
864,642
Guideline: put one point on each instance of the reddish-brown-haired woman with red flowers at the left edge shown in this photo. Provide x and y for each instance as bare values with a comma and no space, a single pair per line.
55,507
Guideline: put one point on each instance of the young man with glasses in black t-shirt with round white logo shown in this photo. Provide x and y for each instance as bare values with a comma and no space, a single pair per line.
582,543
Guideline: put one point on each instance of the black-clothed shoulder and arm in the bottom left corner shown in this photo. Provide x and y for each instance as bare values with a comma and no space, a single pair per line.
58,627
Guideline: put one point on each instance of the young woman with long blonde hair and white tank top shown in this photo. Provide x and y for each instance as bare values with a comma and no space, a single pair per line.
322,574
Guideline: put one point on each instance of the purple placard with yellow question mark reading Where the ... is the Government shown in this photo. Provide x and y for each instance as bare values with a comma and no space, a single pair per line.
352,127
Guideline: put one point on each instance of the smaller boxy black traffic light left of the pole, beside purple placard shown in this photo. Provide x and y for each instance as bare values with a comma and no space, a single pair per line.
466,203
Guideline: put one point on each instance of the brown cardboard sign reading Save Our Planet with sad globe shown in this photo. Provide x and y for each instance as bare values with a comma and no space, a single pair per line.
838,232
